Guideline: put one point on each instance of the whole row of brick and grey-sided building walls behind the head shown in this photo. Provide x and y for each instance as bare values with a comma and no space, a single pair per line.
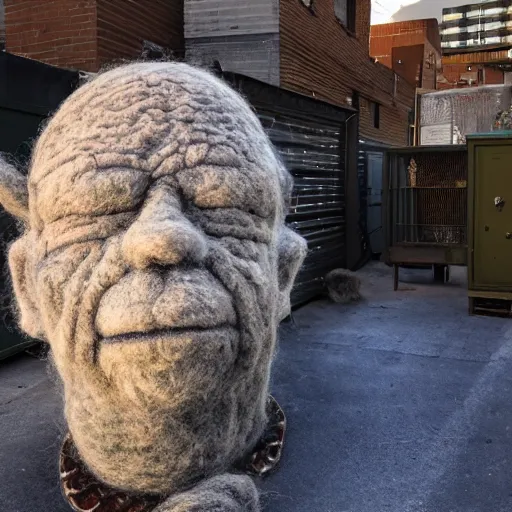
315,47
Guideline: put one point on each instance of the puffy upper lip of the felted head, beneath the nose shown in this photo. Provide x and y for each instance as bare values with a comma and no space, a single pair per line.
149,305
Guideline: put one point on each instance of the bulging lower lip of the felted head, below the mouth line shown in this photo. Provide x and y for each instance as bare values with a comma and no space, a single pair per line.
188,361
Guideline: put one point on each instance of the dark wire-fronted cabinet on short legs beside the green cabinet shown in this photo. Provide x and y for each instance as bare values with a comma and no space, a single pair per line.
425,205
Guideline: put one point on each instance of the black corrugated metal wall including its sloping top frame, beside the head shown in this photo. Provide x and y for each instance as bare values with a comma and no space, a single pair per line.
310,136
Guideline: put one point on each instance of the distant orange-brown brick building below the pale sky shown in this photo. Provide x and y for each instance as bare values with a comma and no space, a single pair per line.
412,49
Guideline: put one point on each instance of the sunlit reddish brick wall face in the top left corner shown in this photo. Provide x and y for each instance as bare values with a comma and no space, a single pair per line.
62,33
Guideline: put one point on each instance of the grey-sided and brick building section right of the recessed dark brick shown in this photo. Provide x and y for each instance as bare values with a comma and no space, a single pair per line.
319,48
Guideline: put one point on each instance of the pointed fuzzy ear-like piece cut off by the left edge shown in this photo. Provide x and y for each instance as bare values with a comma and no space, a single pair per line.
13,191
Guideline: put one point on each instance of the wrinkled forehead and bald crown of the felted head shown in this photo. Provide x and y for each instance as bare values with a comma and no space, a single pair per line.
158,100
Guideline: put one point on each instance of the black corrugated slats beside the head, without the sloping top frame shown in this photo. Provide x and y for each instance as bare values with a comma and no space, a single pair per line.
314,154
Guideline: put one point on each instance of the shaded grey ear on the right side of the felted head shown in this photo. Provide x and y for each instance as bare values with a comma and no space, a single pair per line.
292,250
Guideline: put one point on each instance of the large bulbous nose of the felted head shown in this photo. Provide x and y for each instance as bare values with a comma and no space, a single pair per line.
162,235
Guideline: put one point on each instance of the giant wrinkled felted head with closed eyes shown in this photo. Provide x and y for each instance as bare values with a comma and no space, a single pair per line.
156,263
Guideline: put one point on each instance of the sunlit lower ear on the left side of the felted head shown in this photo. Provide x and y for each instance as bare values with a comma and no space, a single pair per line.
24,288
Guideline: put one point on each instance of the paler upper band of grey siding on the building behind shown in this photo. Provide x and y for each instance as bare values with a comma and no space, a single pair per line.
217,18
